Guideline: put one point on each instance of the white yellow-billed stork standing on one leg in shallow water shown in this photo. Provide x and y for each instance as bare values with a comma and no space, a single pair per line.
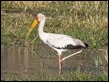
58,42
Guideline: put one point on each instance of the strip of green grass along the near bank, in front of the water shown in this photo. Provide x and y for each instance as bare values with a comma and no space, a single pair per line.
76,75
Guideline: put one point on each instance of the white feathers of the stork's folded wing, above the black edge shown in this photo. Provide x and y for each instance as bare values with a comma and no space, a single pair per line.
61,41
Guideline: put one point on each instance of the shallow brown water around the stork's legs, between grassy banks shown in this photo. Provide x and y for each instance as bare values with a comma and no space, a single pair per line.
22,62
